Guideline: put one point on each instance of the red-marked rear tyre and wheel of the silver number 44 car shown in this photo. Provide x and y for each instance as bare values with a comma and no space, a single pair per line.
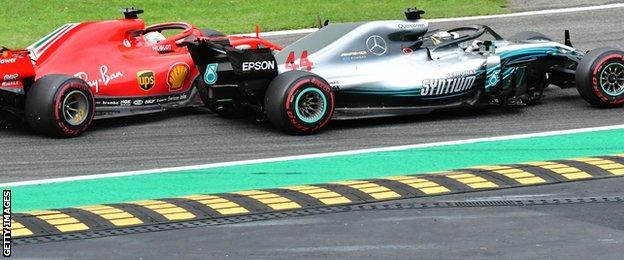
299,102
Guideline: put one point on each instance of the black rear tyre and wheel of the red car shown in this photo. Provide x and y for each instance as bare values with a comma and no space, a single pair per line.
60,106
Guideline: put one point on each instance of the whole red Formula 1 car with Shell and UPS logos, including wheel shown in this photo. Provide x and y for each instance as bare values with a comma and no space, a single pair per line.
91,70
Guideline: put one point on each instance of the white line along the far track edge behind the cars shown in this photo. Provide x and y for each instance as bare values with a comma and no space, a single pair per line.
468,18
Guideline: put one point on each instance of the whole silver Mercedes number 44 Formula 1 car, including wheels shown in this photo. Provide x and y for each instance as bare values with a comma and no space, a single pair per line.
388,68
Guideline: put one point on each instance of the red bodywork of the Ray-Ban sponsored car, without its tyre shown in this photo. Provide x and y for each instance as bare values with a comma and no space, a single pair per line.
126,73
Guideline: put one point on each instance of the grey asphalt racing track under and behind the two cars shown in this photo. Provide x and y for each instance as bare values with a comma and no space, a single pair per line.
192,136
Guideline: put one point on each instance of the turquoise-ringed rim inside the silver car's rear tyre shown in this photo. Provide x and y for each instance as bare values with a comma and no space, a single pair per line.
310,105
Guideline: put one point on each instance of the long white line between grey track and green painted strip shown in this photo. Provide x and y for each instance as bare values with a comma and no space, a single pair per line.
311,156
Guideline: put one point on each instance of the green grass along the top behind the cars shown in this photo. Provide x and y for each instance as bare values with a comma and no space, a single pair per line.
23,22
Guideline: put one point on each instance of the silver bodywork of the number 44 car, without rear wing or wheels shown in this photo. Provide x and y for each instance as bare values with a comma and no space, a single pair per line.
375,68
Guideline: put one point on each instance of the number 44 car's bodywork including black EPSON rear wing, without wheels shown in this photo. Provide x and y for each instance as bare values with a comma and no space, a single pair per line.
396,67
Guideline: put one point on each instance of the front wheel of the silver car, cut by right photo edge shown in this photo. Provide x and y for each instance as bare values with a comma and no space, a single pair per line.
600,77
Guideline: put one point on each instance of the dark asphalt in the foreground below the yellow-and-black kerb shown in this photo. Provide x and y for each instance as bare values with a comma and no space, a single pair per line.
576,231
